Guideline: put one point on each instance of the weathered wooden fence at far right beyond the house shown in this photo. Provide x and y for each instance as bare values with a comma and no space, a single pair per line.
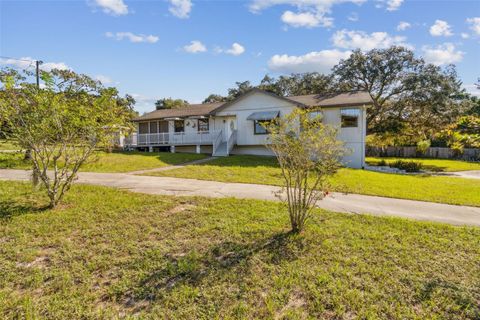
433,152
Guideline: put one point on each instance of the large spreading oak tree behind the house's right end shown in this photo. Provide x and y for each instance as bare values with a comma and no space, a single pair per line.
409,96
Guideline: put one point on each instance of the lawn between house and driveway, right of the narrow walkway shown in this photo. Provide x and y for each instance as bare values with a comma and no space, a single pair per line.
265,170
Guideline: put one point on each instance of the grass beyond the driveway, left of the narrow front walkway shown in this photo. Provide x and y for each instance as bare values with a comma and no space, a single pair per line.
113,162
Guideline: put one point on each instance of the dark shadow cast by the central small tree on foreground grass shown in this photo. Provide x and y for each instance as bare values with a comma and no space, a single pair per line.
225,261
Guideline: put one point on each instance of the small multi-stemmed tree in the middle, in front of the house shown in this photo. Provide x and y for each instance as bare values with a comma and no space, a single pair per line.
308,153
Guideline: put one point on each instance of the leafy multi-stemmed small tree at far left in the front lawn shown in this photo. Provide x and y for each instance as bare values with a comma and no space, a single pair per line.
62,123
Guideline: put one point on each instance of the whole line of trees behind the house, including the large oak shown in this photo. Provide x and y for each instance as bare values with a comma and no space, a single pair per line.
413,101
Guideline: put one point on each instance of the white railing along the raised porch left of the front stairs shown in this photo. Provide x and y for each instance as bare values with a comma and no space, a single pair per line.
167,138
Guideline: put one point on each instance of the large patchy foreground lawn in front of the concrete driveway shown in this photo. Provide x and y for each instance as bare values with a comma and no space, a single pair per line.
106,253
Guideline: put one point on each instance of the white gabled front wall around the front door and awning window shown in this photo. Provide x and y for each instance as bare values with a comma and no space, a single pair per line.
248,105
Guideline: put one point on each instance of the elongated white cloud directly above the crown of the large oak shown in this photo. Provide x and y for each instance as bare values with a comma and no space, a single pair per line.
352,39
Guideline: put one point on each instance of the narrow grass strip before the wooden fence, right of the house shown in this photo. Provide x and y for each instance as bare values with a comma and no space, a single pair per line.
435,165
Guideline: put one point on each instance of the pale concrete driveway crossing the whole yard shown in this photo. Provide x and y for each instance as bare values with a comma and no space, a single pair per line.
348,203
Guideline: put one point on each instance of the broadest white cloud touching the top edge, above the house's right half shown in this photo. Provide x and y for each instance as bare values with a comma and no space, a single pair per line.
310,13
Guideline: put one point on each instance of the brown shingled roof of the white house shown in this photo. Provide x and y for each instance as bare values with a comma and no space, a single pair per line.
354,98
